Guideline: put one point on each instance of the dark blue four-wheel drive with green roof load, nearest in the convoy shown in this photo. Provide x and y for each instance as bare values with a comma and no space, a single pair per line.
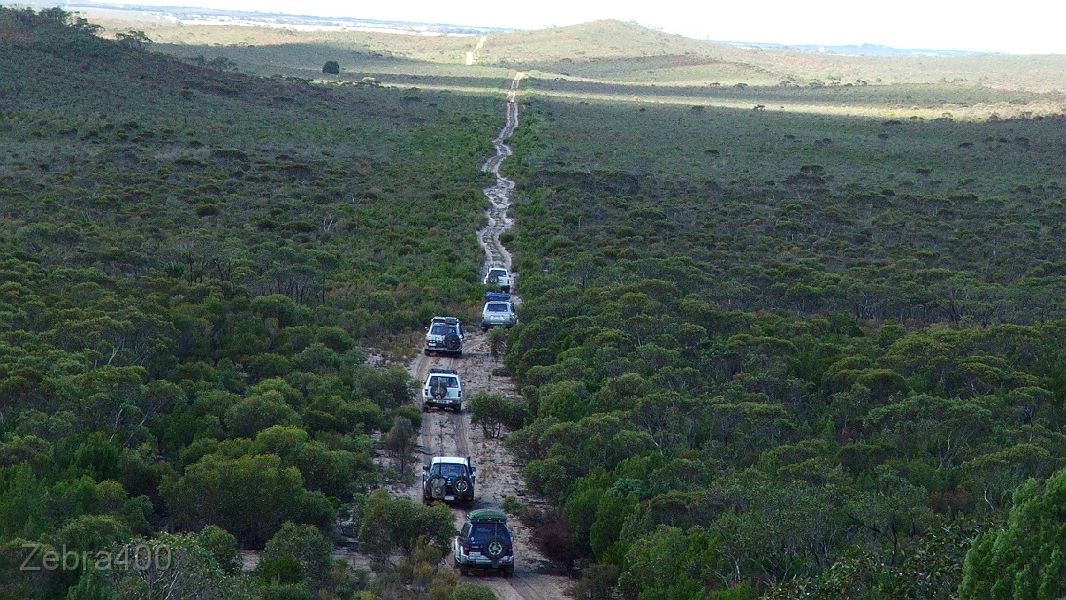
486,543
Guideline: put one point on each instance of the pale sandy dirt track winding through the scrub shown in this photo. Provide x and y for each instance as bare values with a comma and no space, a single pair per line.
450,434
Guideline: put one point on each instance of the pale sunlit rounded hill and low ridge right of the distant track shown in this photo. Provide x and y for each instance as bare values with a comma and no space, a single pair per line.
610,51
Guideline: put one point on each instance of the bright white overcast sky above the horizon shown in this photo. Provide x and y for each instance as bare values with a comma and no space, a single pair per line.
1020,27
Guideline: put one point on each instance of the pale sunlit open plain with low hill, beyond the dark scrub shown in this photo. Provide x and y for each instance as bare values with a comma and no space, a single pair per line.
611,59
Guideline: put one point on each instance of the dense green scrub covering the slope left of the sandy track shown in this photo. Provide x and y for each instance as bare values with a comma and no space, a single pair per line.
191,266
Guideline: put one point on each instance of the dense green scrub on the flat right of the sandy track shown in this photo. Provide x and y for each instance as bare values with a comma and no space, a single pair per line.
817,374
